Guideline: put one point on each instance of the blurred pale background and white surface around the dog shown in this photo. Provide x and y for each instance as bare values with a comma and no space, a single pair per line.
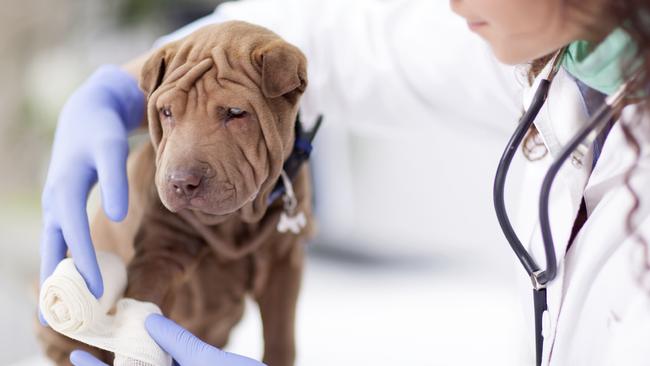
418,272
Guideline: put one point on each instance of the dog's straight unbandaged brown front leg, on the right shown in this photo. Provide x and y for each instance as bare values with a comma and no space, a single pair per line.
277,302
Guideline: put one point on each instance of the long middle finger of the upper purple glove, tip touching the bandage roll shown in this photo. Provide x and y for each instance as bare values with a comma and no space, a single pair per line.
76,232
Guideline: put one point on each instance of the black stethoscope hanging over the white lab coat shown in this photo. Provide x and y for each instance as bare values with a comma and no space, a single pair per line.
577,149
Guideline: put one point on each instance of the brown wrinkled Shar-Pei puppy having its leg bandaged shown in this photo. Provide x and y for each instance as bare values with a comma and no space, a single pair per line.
201,234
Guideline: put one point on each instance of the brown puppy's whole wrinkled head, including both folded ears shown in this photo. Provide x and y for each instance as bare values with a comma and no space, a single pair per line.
221,109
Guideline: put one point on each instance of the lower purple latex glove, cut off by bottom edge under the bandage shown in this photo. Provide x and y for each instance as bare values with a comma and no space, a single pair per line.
183,346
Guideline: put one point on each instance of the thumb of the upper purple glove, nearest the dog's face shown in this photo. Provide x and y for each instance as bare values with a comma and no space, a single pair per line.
113,183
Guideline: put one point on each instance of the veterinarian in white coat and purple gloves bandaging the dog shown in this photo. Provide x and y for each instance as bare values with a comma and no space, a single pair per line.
593,307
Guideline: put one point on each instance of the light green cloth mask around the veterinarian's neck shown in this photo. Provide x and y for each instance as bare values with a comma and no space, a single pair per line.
599,66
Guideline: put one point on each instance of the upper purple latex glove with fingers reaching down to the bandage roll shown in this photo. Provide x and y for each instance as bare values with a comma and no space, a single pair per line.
90,144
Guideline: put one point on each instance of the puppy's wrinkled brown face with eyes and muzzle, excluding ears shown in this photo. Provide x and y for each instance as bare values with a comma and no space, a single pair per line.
212,153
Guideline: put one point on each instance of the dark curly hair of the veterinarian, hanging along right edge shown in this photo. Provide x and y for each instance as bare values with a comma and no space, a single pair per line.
633,16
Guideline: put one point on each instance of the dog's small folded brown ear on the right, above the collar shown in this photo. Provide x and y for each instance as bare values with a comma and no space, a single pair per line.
284,70
